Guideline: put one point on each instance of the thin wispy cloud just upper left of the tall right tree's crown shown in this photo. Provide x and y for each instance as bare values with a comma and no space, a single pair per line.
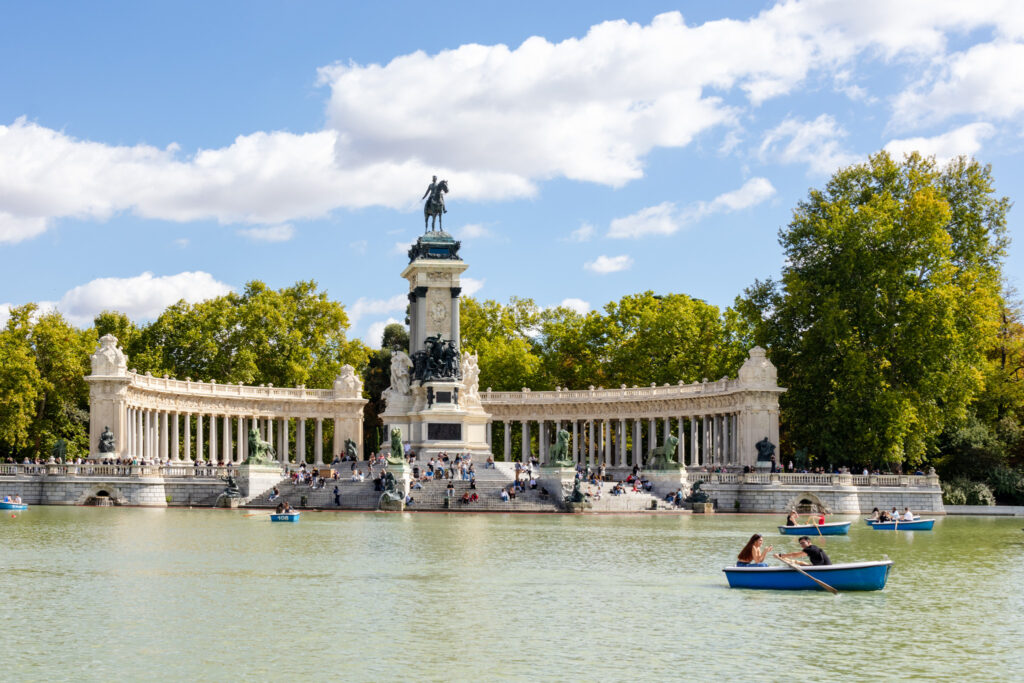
814,143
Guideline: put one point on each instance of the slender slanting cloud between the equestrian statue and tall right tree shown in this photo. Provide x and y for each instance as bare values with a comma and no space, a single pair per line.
666,220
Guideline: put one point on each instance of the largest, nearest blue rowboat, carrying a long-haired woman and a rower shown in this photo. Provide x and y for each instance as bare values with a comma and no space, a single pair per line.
849,577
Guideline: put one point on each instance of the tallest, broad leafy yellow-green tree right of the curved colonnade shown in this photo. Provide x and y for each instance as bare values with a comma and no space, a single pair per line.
886,309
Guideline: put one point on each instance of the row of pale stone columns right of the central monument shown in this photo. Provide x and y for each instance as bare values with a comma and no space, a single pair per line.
704,440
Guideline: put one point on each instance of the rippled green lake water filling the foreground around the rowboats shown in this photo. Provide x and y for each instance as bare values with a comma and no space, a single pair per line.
135,594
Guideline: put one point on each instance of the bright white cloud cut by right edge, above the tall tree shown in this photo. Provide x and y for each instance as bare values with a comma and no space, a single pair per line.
985,80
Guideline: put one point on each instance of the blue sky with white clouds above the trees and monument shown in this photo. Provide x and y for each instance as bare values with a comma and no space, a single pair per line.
154,152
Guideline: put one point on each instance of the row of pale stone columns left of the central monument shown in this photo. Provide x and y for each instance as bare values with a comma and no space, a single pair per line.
187,438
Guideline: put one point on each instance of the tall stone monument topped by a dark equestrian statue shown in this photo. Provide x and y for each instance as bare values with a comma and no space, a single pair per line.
434,398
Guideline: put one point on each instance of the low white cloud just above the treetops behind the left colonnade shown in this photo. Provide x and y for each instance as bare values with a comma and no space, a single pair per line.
142,297
